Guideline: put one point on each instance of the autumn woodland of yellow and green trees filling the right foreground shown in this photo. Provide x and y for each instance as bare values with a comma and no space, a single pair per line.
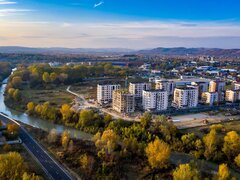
149,146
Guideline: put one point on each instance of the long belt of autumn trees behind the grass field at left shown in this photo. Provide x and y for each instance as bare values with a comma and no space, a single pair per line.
43,75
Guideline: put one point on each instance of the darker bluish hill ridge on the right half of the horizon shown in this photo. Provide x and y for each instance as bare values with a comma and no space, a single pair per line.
180,51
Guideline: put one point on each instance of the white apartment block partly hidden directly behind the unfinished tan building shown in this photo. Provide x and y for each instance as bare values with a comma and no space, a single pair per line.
137,88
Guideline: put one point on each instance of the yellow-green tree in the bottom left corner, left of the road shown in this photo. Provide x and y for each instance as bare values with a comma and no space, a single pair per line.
12,166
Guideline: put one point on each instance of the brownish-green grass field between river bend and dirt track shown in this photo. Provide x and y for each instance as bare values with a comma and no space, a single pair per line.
56,96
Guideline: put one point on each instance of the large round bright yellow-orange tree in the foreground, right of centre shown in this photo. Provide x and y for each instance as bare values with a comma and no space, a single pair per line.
158,153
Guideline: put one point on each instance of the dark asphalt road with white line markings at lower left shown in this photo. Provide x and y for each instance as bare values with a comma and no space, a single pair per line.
53,169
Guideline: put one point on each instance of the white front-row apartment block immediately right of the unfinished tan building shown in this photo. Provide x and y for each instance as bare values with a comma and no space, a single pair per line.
155,100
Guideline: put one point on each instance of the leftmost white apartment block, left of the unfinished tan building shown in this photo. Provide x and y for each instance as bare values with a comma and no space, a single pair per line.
104,92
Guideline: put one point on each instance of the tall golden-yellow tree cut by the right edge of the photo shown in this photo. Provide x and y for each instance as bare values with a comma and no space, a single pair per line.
231,146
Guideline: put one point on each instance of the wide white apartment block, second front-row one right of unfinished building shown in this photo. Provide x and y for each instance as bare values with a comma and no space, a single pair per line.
185,97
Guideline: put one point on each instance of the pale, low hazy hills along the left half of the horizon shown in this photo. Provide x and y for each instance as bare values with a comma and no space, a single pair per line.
18,49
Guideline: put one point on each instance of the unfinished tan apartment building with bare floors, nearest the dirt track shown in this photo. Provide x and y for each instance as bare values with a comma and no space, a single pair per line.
123,101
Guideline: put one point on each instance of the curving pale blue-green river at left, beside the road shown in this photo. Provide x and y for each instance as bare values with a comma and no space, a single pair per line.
37,122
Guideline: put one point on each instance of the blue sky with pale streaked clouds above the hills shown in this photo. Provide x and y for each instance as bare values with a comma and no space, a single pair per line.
133,24
